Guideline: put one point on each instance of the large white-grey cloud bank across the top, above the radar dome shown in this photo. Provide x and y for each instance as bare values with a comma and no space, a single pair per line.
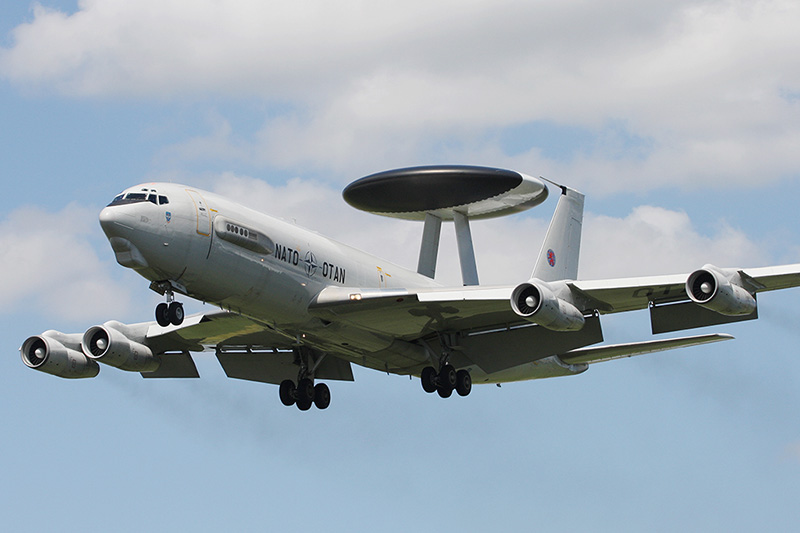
710,87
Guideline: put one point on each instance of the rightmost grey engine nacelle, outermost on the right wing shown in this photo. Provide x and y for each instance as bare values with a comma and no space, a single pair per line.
717,290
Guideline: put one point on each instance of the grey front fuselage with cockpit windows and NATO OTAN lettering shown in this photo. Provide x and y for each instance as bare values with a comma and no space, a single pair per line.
218,251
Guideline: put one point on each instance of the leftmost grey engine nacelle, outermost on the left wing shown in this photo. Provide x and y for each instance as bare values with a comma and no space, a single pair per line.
47,353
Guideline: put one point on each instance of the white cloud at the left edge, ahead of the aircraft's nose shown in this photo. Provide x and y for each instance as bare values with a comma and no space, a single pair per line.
49,264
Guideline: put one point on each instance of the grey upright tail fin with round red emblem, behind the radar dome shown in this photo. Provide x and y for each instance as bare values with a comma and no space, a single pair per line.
558,258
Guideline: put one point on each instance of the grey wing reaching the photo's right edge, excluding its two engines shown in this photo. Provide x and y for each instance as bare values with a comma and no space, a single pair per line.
411,314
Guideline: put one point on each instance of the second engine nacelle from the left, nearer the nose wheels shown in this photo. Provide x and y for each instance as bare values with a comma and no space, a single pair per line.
112,347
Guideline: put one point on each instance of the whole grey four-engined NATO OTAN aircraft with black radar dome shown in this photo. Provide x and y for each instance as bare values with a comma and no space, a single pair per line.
298,307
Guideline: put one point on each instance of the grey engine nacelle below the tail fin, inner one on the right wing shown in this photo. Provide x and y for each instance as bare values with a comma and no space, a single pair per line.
536,302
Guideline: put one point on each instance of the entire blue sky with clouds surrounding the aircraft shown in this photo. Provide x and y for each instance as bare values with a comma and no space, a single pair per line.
678,120
